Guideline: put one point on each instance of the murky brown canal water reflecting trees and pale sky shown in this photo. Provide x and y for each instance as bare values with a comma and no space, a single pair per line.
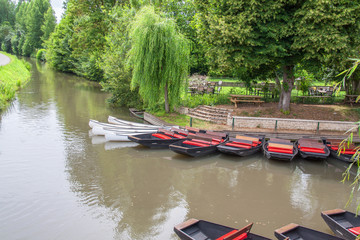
59,182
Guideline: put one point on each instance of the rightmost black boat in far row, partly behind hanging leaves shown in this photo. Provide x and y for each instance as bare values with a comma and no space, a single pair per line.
345,155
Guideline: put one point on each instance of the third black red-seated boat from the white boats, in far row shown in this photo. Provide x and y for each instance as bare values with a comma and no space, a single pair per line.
242,145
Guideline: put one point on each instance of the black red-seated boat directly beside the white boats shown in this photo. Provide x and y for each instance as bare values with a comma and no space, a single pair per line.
161,139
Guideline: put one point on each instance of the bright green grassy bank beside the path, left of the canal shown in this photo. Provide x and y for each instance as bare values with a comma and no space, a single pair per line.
12,77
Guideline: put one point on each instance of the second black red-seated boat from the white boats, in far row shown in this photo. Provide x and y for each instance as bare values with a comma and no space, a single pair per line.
199,144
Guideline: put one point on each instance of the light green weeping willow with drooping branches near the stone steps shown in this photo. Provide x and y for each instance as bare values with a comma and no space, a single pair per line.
159,57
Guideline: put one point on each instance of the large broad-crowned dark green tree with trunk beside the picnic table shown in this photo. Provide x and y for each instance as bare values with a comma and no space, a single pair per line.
270,37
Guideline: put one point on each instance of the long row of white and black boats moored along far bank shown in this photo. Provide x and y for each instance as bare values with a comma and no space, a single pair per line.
196,142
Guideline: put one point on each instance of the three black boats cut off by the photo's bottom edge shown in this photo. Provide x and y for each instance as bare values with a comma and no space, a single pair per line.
344,224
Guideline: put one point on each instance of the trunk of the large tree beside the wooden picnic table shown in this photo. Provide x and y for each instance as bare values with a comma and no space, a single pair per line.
287,86
